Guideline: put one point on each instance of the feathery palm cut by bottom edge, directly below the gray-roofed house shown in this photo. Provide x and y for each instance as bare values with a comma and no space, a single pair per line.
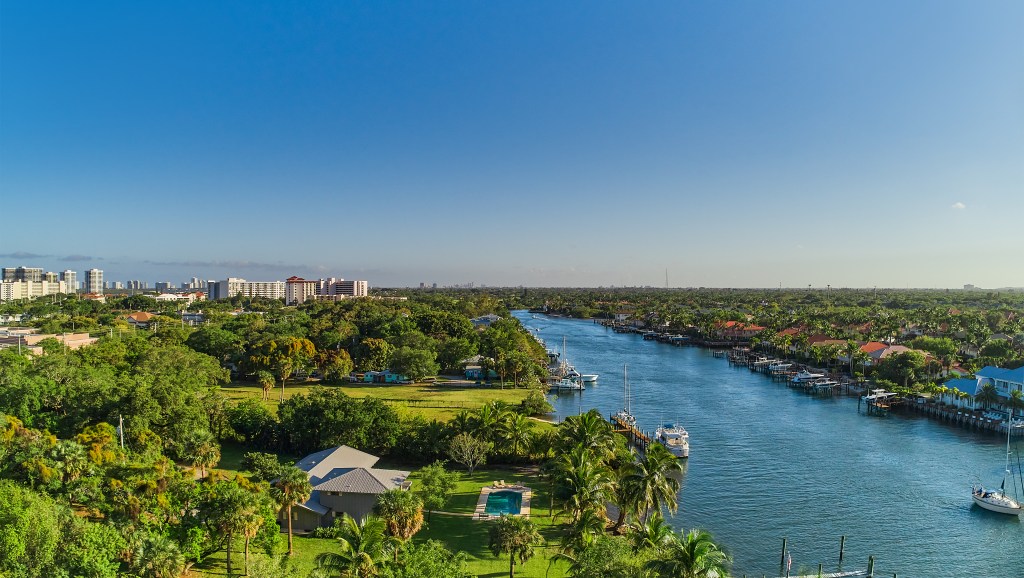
364,547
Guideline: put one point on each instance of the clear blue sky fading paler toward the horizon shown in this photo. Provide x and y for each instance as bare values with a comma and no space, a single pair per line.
854,144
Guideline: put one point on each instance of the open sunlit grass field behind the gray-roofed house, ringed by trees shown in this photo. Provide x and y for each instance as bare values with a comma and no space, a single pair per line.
440,402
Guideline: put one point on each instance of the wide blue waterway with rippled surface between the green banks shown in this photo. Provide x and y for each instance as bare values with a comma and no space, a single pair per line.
769,463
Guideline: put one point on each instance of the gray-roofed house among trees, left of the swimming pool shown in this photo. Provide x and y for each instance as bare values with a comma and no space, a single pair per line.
345,481
